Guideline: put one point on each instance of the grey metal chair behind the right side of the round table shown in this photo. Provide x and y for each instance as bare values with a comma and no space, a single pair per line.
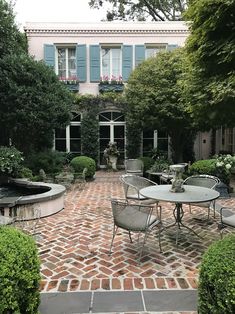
206,181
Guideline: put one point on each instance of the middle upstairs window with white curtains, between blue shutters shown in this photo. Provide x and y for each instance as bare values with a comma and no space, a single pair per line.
111,62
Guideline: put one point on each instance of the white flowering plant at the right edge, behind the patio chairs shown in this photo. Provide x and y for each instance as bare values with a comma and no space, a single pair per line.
224,165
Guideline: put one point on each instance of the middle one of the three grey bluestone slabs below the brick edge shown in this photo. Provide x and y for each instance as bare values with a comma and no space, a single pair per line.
124,301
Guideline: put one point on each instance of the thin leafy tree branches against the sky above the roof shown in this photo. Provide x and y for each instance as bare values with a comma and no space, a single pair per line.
140,10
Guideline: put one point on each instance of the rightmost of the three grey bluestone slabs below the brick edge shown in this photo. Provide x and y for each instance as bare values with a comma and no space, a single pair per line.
170,300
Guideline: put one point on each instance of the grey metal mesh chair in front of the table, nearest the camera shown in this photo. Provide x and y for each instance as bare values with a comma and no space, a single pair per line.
134,218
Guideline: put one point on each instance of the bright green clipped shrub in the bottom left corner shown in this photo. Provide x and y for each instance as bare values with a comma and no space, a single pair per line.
19,272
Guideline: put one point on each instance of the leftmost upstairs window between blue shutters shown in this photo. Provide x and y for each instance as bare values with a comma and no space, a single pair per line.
66,62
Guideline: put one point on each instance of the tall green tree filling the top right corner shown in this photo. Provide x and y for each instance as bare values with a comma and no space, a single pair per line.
210,90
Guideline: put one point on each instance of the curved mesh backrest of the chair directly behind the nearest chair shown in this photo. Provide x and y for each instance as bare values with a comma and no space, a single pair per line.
133,183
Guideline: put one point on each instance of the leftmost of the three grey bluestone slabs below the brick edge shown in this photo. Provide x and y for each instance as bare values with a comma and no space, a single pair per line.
65,303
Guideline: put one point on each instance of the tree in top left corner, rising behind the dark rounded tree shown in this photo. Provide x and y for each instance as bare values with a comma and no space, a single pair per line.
12,41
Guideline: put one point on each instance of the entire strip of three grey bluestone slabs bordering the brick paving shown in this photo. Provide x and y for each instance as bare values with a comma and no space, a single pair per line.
161,301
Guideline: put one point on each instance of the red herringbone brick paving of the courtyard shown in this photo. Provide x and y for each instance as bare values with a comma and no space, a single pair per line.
74,245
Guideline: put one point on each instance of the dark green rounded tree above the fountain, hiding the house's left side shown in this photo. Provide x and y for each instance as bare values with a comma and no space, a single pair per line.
33,103
